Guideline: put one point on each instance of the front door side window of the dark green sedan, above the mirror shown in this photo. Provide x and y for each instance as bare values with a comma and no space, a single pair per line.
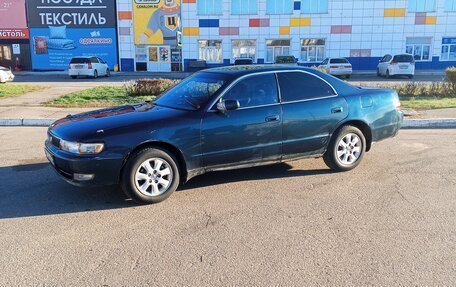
254,91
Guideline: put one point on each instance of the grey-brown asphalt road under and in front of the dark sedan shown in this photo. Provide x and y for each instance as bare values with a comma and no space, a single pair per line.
392,221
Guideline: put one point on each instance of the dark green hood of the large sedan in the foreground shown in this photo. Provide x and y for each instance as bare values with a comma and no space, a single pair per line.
96,124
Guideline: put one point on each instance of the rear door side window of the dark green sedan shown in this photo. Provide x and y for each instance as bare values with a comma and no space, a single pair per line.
298,86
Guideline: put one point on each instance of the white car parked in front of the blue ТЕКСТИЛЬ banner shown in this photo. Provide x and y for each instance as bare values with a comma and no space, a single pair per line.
88,66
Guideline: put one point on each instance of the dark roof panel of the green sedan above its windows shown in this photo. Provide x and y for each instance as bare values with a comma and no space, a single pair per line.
251,69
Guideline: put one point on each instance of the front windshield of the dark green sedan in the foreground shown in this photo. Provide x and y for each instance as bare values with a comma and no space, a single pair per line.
193,92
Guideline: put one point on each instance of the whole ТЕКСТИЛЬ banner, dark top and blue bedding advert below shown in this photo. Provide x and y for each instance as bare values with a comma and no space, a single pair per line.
63,29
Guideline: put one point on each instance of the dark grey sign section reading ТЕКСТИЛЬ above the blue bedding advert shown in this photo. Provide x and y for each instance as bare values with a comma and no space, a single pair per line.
71,13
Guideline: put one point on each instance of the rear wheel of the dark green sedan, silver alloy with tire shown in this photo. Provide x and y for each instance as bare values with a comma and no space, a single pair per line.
346,149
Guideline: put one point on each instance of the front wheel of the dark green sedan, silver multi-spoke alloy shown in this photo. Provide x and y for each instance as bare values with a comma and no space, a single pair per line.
150,175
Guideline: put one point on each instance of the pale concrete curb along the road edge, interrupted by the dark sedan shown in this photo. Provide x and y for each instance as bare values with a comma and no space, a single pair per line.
407,124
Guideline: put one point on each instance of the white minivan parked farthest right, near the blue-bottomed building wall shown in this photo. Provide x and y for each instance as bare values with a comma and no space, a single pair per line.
396,65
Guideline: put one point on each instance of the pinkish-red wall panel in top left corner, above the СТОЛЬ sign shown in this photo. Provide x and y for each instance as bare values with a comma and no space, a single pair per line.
12,14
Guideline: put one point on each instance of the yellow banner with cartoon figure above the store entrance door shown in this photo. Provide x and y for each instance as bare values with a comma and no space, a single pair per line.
156,22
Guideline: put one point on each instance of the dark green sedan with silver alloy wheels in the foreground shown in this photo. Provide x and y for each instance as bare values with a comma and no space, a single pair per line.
222,118
